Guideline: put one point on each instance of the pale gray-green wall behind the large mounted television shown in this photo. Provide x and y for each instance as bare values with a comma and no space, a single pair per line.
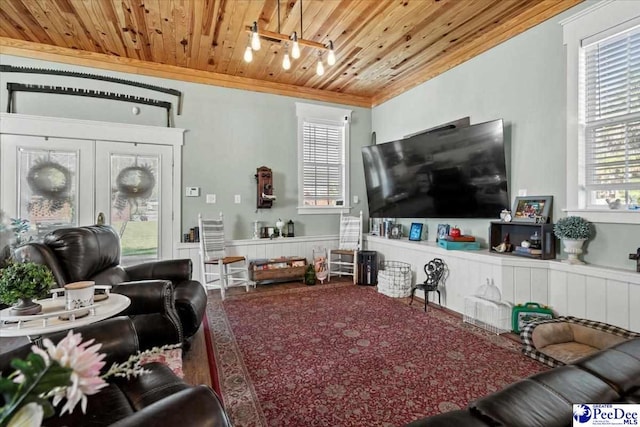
522,81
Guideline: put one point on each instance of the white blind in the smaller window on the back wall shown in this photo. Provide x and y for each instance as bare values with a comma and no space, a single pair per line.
323,164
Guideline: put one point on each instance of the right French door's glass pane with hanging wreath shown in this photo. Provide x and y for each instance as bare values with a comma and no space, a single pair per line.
135,200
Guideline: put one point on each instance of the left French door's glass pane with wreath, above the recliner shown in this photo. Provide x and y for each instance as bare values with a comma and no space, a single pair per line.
48,188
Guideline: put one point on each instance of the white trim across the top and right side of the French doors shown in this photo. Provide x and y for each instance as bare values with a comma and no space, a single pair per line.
22,124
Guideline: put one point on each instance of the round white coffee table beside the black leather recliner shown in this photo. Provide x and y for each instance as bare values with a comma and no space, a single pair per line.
48,320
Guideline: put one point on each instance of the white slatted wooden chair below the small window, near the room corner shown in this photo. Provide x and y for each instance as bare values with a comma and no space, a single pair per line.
342,261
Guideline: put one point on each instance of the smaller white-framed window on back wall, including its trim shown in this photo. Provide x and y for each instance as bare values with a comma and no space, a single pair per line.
323,156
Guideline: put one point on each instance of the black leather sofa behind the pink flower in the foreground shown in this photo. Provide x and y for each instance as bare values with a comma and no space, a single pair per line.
157,398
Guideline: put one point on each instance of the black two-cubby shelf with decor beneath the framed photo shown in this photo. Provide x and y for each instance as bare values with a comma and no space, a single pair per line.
523,231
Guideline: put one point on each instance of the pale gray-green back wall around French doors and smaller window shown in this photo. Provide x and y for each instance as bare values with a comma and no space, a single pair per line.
230,133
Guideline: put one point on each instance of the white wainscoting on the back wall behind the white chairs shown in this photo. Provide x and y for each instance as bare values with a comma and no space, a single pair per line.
260,248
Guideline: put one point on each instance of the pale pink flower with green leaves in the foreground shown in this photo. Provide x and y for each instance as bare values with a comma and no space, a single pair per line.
69,370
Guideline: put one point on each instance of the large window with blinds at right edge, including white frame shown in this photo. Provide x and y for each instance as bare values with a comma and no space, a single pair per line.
603,112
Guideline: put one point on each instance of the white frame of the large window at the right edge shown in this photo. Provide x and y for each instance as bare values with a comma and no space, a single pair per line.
592,24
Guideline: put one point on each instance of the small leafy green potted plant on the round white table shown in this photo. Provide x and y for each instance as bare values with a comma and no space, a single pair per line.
22,282
